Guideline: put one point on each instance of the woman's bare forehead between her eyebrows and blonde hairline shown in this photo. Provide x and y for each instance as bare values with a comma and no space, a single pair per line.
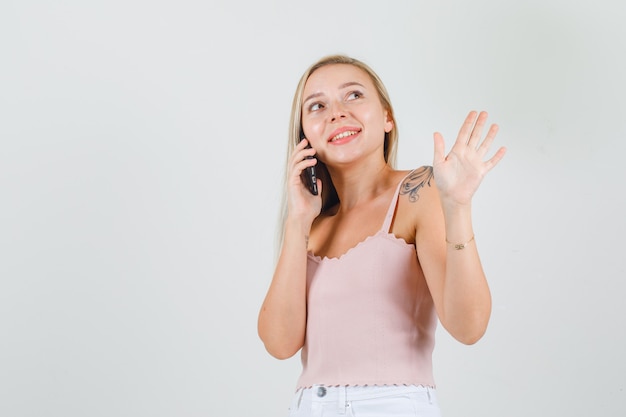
334,76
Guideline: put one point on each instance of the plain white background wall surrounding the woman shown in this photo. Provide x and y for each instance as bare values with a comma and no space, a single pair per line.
141,158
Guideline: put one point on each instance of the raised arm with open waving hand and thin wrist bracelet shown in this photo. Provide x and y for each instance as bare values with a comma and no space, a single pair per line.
455,275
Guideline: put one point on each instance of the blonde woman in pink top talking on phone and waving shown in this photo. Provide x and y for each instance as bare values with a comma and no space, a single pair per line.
370,264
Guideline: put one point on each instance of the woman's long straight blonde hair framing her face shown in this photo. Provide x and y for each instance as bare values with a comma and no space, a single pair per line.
329,194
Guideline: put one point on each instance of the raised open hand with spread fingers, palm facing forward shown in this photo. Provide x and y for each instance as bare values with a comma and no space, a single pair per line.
459,173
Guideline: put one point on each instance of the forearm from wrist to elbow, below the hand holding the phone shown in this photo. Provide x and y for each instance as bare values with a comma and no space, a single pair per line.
282,319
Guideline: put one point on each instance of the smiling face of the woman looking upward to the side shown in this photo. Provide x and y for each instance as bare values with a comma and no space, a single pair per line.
342,115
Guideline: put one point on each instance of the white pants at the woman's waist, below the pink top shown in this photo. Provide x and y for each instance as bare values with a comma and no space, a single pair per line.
385,401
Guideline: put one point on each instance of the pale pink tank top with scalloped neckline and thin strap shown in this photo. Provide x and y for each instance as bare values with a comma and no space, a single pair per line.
370,316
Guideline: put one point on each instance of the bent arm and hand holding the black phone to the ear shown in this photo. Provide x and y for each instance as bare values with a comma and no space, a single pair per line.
282,319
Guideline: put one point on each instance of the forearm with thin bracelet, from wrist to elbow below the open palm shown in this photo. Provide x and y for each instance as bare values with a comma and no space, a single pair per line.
466,295
